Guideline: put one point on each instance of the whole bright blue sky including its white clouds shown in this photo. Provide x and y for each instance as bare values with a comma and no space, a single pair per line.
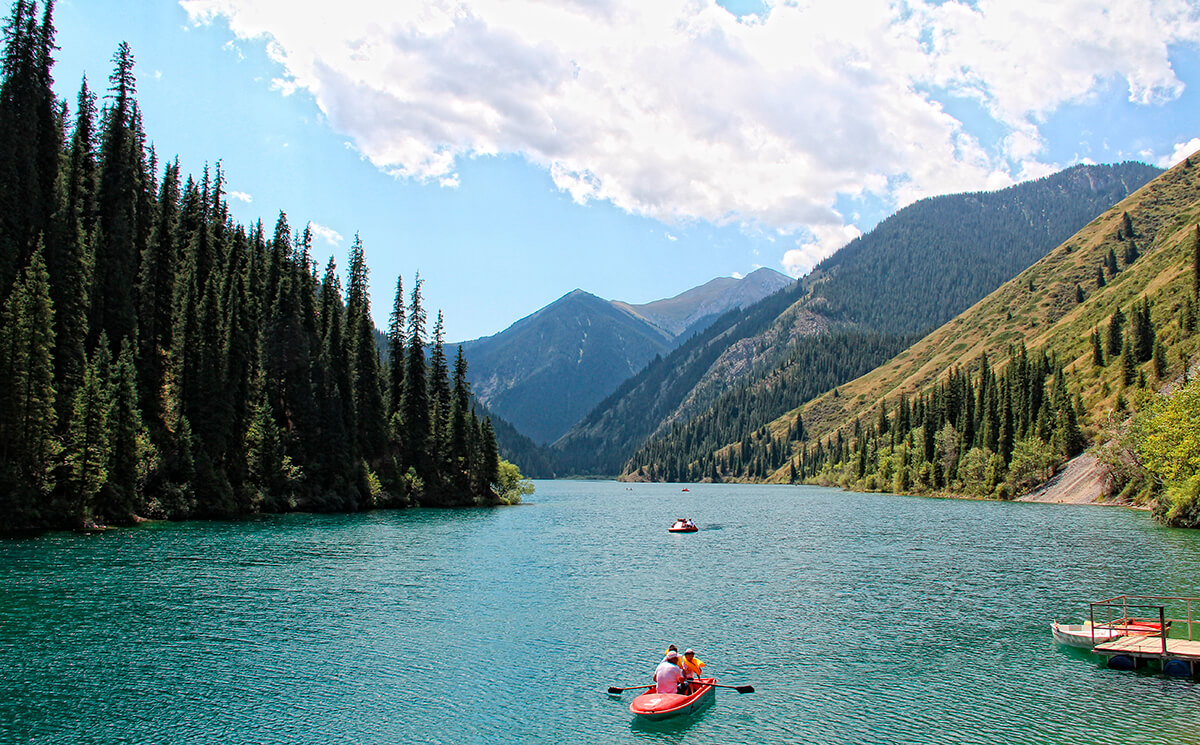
513,151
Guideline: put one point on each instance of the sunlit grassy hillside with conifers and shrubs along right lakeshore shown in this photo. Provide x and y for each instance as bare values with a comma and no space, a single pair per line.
1095,345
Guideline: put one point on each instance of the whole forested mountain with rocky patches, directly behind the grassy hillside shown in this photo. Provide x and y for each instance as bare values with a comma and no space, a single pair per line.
913,273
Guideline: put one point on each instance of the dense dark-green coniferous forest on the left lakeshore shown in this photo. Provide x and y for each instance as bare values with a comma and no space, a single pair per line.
160,361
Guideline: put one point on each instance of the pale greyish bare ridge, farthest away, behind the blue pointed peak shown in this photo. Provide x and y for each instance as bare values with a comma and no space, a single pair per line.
698,308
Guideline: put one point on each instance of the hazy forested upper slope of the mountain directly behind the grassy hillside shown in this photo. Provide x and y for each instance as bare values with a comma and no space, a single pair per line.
937,257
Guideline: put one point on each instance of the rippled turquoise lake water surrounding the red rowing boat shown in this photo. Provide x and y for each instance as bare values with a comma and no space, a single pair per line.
859,618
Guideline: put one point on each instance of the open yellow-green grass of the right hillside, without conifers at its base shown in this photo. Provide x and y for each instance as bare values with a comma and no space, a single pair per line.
1054,308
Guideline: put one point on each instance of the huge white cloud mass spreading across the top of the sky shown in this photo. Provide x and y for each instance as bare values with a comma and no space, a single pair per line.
679,111
